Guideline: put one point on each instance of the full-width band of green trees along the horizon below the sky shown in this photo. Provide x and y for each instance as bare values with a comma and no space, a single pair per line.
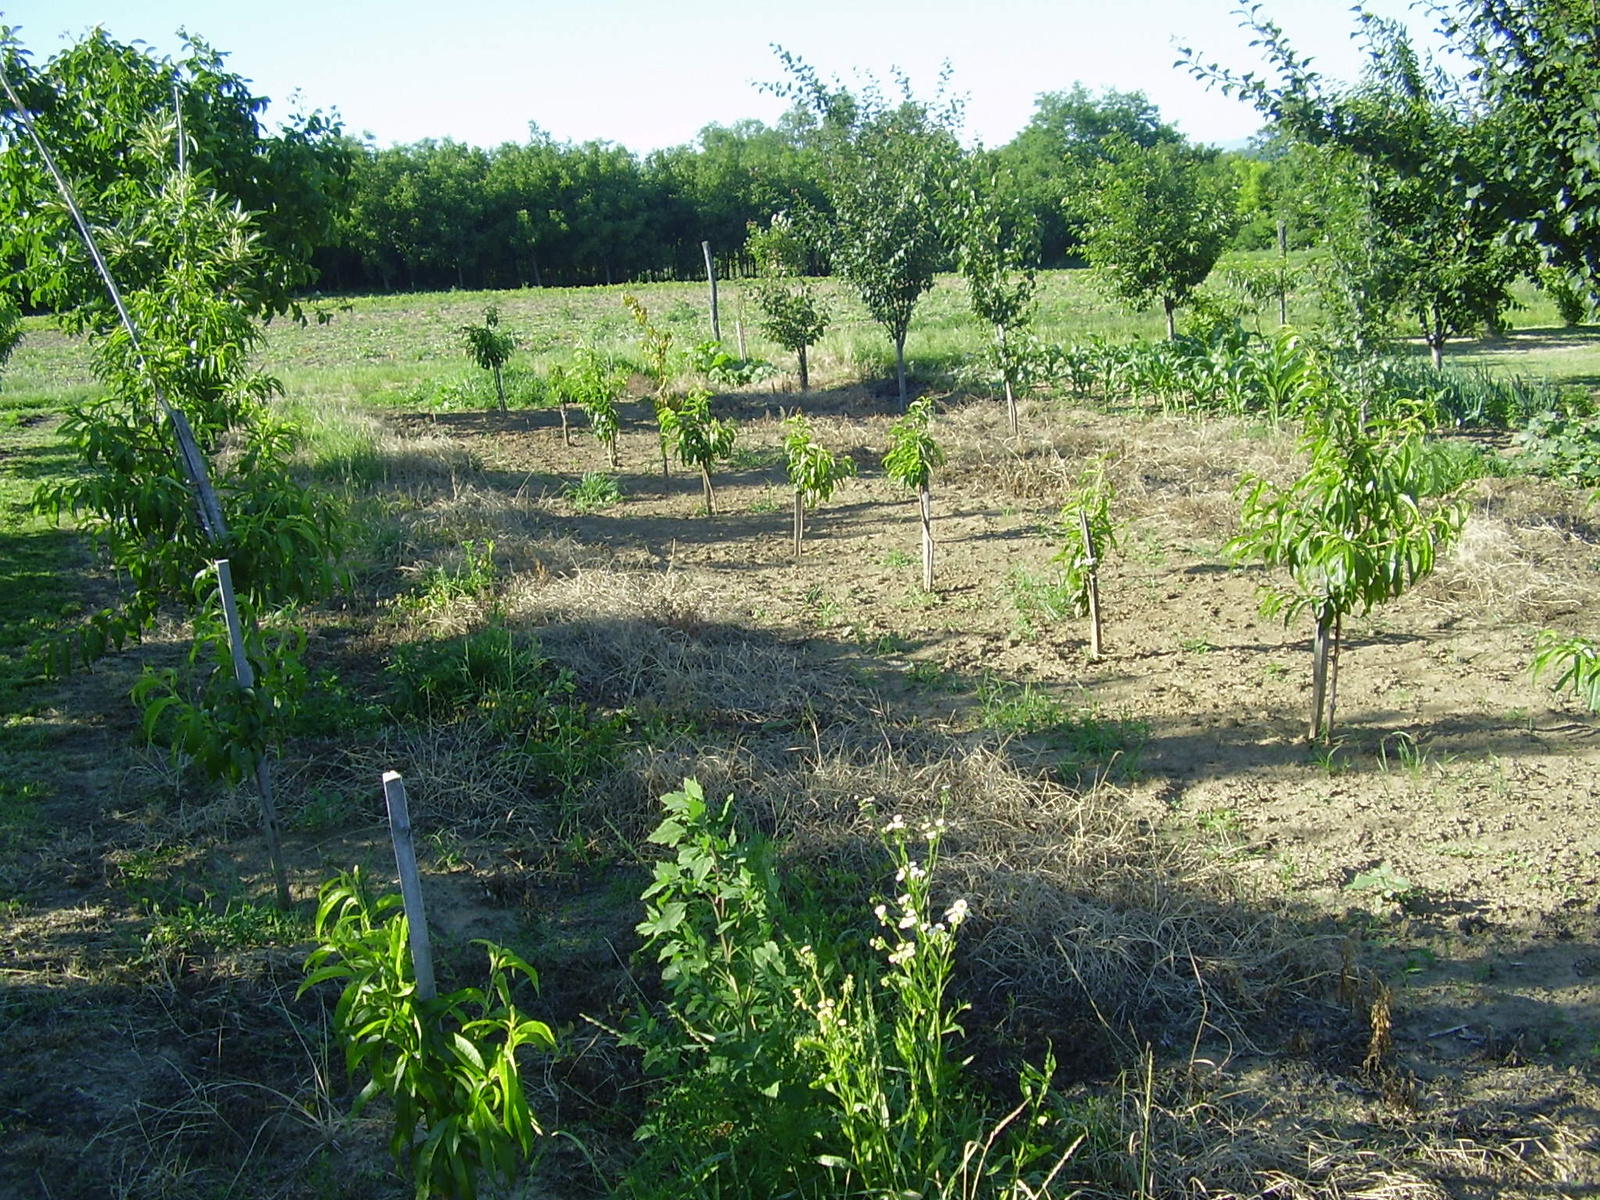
1426,194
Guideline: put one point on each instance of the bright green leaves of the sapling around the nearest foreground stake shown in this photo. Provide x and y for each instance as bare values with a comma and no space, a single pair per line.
449,1065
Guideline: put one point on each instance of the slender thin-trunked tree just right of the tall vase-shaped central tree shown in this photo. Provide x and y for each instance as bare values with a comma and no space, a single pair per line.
996,246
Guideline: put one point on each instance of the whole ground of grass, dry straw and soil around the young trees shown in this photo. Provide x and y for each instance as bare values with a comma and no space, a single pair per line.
1262,969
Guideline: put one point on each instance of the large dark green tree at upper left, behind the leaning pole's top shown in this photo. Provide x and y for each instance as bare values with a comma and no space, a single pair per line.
106,111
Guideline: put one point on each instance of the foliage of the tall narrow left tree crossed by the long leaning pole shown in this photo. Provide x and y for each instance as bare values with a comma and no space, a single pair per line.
134,495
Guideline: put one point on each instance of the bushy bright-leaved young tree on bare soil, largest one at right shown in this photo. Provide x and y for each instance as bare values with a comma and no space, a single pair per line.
1356,530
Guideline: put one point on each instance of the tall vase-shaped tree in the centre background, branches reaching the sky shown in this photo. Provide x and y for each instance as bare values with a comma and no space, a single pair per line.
887,170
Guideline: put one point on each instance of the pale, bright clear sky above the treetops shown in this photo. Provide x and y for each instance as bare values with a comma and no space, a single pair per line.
650,74
